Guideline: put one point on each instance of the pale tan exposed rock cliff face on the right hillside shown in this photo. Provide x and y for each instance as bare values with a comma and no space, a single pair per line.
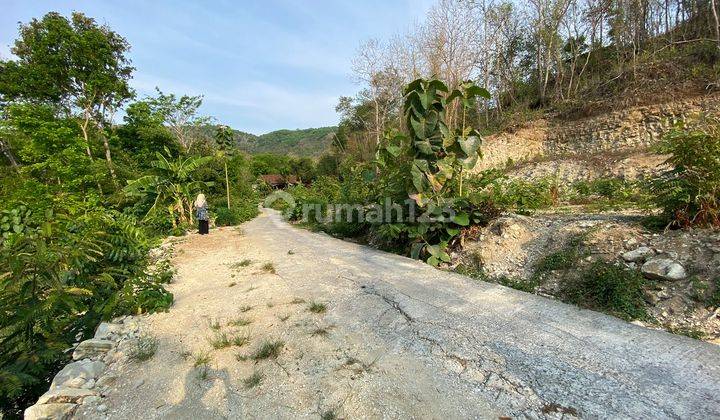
615,144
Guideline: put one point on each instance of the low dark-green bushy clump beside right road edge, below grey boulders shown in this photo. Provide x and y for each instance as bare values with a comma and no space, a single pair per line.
609,288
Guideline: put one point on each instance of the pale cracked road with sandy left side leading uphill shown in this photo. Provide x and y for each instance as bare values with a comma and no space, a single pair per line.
398,339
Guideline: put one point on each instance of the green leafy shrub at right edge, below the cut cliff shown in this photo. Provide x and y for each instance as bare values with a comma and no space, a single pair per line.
689,193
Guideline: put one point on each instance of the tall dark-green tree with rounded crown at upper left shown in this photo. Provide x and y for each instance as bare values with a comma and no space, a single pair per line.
76,63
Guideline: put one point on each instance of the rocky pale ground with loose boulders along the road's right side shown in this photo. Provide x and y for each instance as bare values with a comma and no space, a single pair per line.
682,267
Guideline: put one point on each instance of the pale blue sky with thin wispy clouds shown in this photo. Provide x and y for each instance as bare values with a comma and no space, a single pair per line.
261,65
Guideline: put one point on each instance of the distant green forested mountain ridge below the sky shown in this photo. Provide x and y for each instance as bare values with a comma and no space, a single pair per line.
311,142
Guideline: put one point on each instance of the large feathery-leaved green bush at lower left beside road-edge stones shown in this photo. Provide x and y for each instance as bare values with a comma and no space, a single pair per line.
61,274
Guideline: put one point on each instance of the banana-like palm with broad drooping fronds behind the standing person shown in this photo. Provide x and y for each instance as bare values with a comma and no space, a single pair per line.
172,186
